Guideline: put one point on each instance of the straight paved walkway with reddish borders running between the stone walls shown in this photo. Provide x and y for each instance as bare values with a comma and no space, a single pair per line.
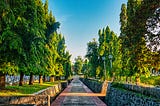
82,99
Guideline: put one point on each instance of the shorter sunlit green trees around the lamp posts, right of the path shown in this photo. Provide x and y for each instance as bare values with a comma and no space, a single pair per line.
109,44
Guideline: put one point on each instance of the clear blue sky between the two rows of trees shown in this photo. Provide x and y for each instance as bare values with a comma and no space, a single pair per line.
81,19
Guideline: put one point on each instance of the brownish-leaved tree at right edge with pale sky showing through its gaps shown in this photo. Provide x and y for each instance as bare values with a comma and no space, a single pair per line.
149,29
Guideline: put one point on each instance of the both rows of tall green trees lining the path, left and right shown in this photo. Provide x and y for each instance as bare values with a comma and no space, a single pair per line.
31,45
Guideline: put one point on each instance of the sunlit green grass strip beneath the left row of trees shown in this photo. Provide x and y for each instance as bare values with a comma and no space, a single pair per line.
25,89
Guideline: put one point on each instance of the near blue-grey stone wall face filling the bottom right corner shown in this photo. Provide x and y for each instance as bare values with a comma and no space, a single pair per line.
120,97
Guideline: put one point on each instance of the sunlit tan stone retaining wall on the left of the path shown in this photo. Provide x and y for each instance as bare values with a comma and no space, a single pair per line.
41,98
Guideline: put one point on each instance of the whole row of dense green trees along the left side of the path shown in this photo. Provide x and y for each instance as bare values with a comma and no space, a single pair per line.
29,41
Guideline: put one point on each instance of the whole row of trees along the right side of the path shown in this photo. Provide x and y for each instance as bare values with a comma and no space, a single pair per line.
134,53
